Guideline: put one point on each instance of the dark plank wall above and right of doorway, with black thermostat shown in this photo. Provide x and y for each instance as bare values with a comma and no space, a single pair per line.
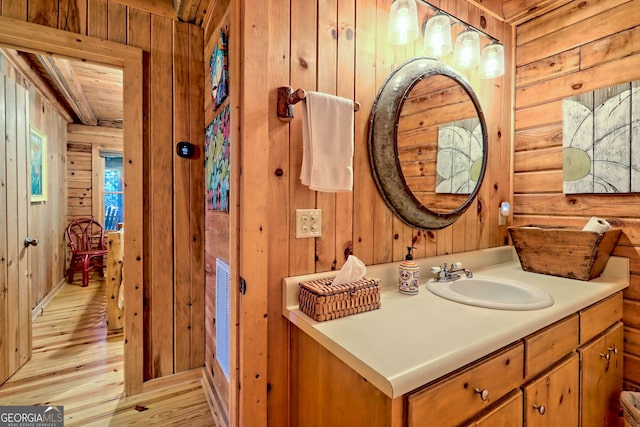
169,223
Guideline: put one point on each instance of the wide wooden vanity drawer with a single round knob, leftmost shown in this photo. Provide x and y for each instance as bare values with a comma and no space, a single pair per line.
453,400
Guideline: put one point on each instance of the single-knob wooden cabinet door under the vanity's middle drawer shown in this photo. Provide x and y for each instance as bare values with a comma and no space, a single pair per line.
552,400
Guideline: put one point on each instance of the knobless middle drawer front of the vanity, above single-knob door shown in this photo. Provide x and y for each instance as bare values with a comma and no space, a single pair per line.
546,347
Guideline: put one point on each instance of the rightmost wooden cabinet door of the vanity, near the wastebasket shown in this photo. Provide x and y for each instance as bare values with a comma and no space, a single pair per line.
601,376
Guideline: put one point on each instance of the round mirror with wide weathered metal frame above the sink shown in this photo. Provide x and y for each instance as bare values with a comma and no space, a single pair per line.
427,143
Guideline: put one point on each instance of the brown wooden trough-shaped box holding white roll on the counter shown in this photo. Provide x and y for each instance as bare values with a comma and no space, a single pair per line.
563,251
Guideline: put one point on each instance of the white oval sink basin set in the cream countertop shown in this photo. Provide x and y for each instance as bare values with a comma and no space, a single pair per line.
490,293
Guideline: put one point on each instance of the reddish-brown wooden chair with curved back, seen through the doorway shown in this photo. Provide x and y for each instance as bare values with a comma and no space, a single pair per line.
88,248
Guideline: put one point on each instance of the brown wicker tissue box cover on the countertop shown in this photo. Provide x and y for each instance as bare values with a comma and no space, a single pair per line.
322,301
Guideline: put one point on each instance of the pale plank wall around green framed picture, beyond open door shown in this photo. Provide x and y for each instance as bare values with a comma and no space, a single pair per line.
46,220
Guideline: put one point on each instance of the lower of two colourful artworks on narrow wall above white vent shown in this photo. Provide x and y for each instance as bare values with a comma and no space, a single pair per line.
217,162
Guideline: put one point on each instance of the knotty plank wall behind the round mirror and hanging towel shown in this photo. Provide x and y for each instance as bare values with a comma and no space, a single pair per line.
338,47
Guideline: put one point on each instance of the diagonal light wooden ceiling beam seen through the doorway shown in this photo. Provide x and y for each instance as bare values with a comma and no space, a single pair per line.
62,74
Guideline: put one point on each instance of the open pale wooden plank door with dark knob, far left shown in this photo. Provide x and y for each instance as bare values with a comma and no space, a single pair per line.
15,310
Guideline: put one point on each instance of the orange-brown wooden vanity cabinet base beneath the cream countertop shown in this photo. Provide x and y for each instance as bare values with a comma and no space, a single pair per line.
572,368
